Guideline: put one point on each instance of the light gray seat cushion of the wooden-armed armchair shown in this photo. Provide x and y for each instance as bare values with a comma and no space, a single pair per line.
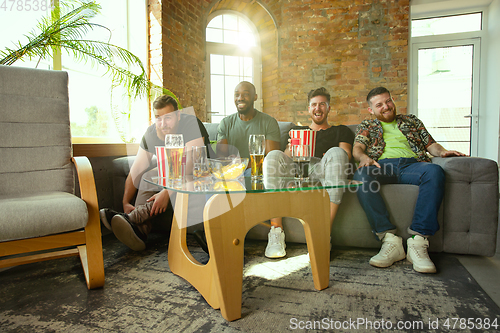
49,213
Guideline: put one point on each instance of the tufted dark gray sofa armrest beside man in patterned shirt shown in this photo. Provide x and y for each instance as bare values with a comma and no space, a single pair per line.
470,205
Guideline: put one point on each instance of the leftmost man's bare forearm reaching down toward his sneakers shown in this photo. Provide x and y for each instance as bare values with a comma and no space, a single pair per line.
141,163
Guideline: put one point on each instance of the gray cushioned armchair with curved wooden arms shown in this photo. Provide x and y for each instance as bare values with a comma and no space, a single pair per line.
39,211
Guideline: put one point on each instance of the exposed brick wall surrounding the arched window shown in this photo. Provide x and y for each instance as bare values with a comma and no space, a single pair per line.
348,47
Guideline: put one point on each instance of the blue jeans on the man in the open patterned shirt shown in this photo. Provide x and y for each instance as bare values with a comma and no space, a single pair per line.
429,178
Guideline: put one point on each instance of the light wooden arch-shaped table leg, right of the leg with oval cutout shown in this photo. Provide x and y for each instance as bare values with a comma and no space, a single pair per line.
228,217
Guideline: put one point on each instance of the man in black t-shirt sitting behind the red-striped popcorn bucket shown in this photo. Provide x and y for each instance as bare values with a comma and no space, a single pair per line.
330,163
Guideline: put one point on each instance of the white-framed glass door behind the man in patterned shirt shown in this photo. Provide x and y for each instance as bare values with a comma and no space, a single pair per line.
447,89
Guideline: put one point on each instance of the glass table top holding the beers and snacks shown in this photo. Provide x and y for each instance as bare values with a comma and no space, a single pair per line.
211,185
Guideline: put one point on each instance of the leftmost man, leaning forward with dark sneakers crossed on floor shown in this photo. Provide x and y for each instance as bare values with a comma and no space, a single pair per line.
133,226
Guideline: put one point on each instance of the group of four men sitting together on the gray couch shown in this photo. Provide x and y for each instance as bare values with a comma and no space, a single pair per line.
389,148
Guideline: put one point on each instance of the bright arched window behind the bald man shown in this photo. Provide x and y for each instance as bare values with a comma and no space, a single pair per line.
233,55
